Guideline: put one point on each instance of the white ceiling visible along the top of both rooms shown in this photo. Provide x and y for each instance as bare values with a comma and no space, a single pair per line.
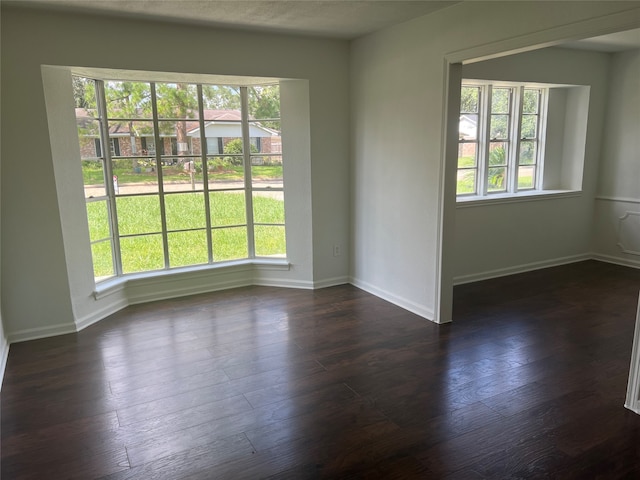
342,19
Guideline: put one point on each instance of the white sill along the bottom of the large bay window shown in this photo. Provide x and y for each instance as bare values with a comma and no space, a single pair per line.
118,284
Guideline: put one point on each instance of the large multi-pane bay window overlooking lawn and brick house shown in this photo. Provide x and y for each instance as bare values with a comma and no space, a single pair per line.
190,176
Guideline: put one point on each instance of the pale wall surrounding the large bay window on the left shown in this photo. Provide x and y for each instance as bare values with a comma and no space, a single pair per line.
44,267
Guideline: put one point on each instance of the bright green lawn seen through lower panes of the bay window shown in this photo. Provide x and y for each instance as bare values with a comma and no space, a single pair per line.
140,216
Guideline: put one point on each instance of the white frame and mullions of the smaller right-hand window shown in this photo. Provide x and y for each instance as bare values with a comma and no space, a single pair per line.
483,140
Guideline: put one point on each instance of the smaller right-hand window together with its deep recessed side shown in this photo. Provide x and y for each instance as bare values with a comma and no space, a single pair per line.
520,139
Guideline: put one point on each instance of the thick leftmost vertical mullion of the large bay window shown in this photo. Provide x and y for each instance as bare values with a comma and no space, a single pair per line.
108,172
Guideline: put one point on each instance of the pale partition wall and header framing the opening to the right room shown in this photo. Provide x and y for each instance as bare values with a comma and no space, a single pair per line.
398,78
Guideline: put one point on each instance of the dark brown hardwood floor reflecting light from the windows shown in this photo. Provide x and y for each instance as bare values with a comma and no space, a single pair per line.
528,382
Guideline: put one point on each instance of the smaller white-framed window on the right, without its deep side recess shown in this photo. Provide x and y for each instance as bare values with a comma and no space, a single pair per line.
500,147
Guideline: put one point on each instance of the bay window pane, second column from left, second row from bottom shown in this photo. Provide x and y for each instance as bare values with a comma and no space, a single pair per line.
139,214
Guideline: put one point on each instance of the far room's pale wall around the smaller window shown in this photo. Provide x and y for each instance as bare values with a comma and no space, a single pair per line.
505,238
